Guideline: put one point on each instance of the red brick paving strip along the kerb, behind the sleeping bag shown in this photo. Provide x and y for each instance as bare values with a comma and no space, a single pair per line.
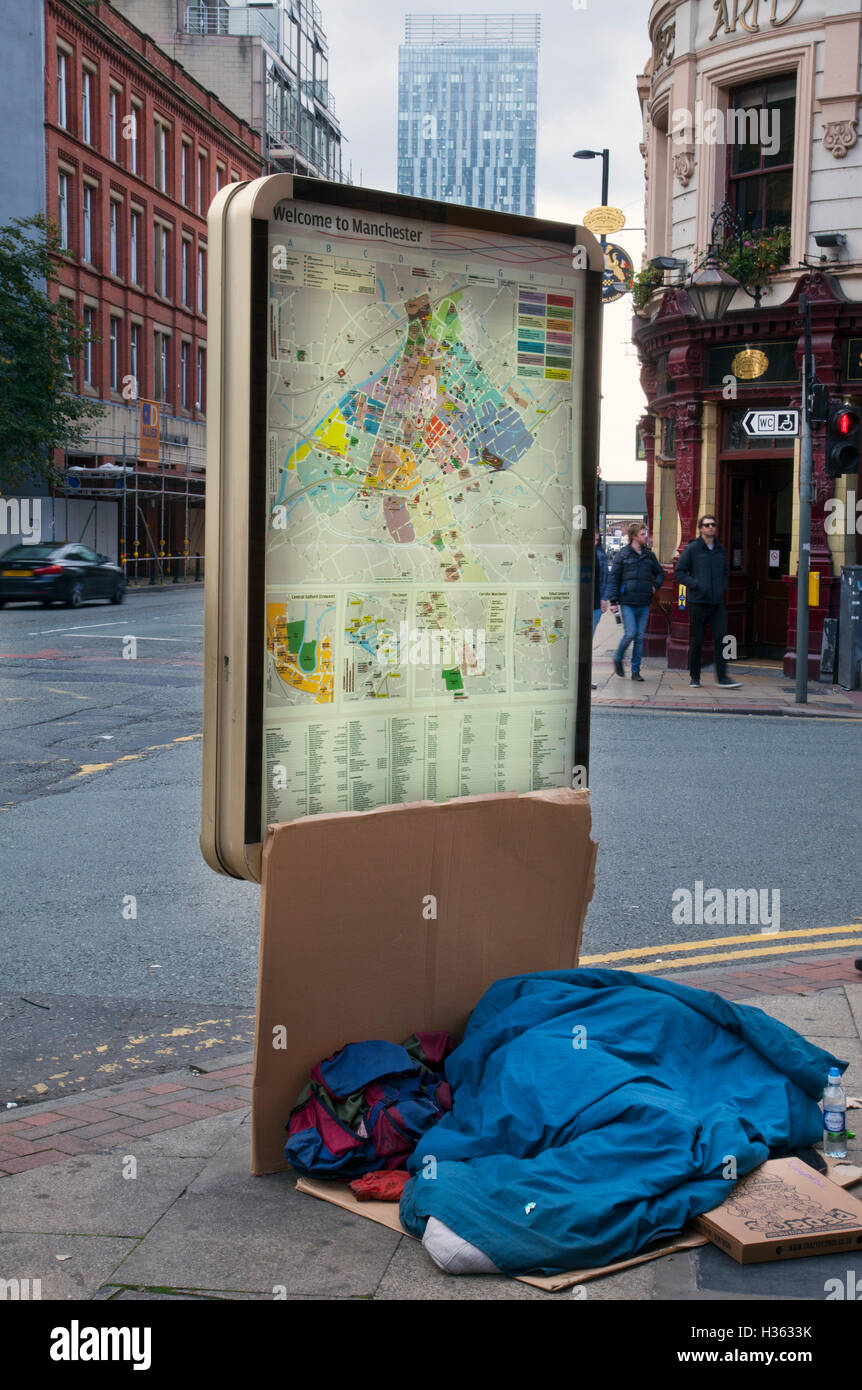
97,1121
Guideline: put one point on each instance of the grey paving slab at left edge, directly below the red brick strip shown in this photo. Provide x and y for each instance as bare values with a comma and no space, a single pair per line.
91,1197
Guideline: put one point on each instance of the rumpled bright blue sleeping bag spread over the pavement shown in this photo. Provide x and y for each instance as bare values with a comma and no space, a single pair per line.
597,1111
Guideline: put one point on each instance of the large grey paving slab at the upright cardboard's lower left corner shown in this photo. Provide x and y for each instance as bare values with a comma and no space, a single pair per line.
233,1231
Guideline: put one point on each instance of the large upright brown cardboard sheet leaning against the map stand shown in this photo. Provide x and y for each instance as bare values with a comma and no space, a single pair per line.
380,924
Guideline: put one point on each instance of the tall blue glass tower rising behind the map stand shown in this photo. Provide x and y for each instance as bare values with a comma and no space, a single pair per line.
468,90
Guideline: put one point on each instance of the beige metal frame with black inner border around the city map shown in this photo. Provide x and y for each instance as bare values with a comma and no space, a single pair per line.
231,819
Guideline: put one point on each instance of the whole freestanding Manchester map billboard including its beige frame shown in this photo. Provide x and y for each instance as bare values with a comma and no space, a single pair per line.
401,484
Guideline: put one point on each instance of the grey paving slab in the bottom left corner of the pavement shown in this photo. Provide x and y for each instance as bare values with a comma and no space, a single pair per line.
92,1260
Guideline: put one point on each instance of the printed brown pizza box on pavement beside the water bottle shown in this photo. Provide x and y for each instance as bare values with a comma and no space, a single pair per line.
782,1211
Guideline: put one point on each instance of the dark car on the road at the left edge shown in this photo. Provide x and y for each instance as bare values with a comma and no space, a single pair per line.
59,572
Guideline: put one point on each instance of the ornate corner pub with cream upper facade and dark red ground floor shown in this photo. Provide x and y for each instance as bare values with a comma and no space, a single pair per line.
751,147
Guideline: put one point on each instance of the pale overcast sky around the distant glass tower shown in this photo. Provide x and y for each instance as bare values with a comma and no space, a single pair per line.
590,56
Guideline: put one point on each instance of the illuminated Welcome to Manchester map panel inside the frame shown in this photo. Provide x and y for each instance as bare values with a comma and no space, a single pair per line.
423,512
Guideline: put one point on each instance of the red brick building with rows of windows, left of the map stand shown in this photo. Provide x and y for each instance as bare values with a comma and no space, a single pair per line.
136,151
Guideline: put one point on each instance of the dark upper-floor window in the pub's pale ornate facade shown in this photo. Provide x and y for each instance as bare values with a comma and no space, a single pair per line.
761,123
